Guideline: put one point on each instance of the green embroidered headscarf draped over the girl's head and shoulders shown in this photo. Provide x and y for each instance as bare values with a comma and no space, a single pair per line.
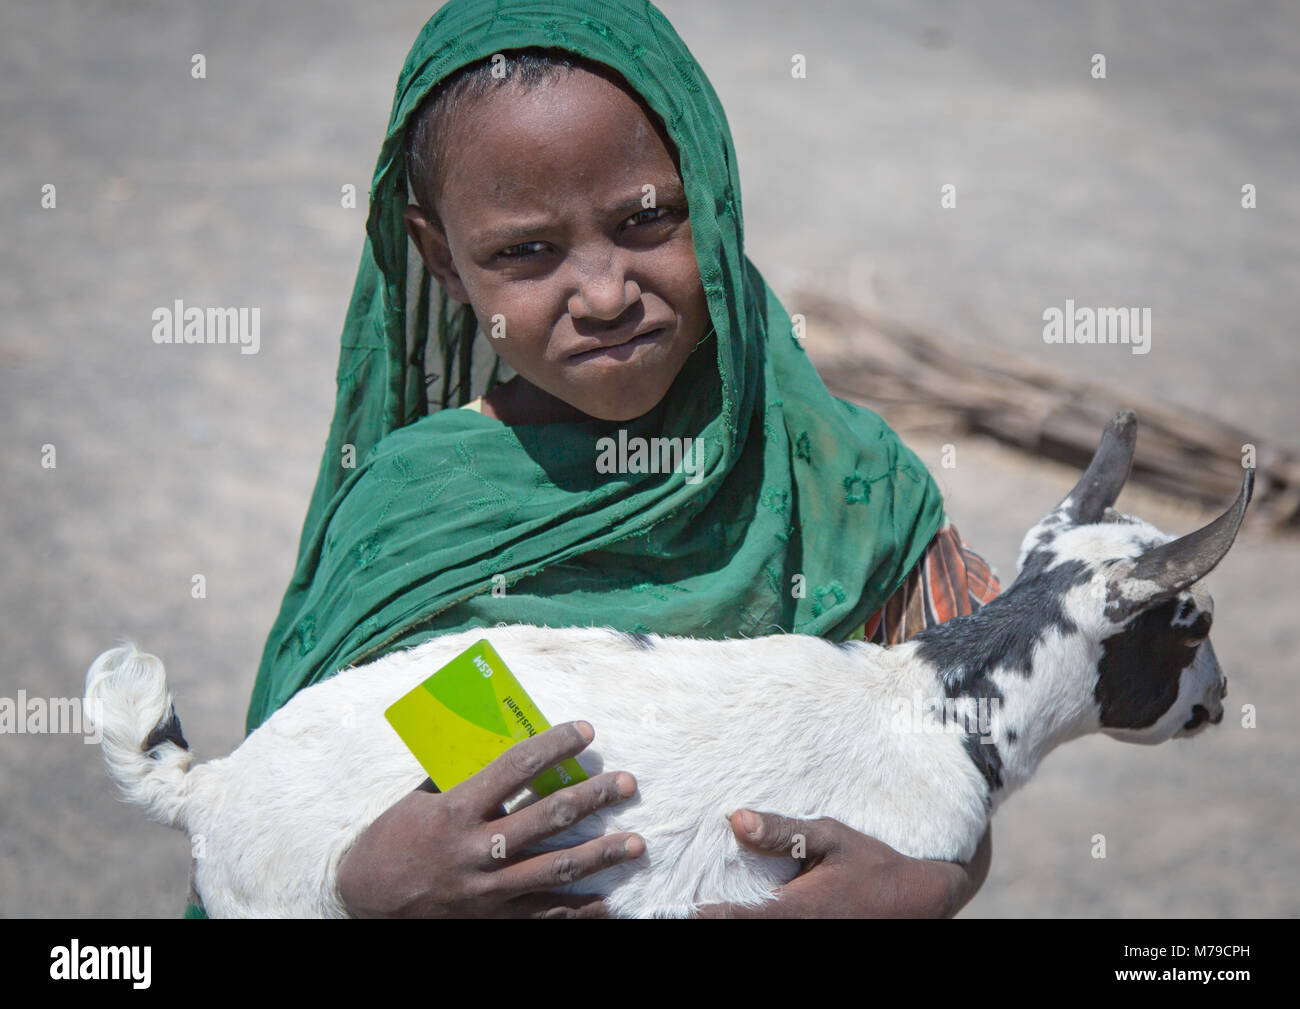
417,517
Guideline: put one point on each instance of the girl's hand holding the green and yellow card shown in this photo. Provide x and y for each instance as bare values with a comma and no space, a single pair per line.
453,854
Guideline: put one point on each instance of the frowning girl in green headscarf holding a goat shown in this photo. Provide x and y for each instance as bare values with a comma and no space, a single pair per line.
575,257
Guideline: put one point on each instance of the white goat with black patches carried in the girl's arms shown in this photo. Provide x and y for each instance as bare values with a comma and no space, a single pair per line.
1106,629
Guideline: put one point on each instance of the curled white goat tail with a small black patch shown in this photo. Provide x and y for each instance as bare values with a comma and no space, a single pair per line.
129,704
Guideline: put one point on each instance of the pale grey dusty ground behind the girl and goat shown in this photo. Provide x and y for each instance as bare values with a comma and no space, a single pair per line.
183,461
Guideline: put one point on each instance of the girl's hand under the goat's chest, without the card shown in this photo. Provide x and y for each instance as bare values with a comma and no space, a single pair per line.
851,876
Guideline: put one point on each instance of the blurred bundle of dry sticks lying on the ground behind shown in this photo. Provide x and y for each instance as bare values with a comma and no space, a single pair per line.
922,383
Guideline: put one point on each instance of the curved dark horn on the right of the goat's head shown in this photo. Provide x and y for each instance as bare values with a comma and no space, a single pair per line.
1167,570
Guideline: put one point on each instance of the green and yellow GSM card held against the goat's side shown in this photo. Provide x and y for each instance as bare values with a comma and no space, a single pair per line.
470,713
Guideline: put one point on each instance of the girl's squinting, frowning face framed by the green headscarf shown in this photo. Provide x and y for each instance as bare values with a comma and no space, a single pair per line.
549,239
